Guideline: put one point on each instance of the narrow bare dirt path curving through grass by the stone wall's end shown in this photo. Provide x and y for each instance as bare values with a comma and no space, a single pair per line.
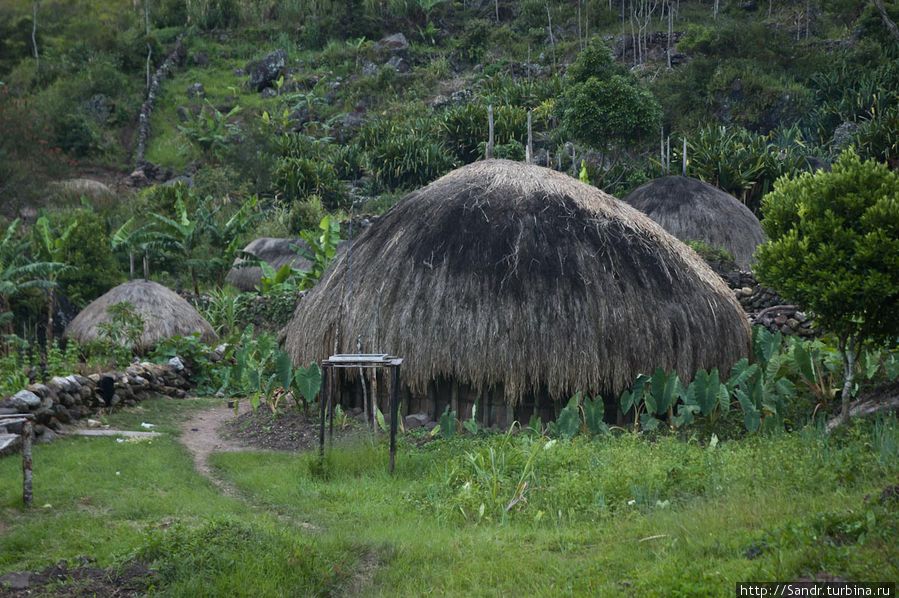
200,434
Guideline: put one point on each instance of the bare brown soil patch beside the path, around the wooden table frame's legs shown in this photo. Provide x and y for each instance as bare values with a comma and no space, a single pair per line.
288,431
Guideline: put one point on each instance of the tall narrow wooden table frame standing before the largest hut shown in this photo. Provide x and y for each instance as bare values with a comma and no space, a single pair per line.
355,361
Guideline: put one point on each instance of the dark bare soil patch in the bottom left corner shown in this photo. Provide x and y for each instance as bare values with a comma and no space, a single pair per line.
133,579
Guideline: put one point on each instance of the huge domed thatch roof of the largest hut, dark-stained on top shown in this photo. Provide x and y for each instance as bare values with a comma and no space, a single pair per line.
502,273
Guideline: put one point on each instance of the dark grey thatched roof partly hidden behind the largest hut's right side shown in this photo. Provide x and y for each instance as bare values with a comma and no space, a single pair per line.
692,210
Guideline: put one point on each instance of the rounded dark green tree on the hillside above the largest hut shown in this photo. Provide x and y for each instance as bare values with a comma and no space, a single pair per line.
604,106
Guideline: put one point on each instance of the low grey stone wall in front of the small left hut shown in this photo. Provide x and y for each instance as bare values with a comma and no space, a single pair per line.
63,400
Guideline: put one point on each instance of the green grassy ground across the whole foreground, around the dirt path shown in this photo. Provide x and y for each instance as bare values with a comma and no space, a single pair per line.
613,516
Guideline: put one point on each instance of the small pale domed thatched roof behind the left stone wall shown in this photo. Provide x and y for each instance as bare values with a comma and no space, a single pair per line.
165,314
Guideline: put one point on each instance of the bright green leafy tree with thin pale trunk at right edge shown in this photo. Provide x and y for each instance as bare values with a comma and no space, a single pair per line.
834,248
